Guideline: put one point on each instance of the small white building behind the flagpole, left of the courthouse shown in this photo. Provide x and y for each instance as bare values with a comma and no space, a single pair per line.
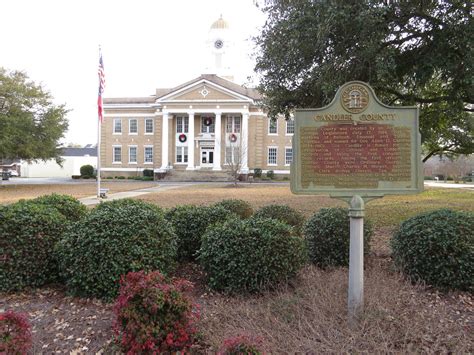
74,158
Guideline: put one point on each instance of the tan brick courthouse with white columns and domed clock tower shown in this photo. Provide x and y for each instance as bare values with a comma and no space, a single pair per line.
208,123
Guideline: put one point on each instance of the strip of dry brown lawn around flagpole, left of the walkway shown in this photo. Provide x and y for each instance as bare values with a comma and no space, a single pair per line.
13,193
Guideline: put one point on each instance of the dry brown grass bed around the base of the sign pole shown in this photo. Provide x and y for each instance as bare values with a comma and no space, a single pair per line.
311,316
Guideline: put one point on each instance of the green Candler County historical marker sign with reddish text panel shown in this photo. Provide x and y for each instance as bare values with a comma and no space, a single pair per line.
356,146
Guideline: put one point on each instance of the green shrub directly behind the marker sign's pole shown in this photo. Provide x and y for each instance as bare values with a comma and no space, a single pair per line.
328,237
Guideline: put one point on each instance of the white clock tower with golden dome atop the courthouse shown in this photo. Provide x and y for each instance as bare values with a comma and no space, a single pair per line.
219,45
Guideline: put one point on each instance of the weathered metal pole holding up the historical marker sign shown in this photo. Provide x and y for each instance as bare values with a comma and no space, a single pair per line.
356,259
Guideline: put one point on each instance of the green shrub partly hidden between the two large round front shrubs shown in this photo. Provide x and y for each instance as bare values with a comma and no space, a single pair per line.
190,223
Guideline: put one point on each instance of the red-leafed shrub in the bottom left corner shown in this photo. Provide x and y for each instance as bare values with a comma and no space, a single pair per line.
15,333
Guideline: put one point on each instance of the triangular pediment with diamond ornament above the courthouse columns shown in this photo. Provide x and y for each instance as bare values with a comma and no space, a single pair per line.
204,91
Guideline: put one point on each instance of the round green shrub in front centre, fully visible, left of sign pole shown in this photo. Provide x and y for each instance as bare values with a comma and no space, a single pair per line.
250,254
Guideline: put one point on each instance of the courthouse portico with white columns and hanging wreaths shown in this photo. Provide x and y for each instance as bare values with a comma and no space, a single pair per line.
202,138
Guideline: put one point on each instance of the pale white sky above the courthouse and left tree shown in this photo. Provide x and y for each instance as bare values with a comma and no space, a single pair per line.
145,45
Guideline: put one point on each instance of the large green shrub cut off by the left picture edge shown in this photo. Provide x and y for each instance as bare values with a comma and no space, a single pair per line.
28,233
